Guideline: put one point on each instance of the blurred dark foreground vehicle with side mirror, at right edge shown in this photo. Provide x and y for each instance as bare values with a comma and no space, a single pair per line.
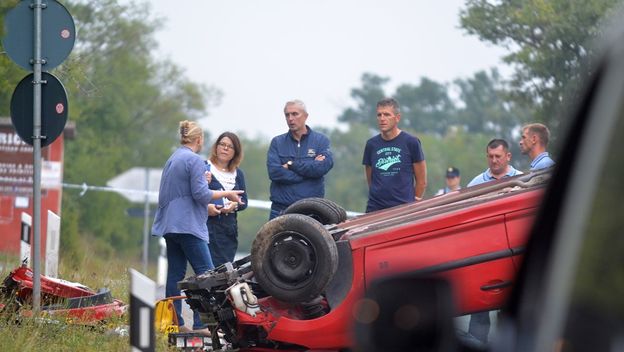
568,296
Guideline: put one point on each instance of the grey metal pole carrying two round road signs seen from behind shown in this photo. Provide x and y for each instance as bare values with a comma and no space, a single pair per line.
25,48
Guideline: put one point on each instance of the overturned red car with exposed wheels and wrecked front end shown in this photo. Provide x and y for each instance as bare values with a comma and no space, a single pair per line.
309,269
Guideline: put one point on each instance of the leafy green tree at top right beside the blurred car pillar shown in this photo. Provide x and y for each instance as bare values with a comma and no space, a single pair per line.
548,39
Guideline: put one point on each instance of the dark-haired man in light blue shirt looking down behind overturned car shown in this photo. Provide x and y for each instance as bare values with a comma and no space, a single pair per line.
498,156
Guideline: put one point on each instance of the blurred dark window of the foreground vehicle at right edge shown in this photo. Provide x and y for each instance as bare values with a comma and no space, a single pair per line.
595,314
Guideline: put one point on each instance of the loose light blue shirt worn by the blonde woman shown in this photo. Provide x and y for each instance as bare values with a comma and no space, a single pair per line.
183,197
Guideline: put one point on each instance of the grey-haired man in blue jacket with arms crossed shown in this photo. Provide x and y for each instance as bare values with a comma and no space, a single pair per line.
297,161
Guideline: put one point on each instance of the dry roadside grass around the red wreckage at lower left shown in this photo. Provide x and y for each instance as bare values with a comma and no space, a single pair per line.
37,334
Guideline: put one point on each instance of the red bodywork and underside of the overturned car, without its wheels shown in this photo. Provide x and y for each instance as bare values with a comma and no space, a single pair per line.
474,237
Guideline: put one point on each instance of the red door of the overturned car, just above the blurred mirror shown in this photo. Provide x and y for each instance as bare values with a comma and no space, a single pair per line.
474,256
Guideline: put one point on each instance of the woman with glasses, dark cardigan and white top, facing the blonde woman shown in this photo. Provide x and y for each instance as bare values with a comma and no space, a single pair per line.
226,155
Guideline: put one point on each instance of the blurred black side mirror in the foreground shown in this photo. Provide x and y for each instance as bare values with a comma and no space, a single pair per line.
406,314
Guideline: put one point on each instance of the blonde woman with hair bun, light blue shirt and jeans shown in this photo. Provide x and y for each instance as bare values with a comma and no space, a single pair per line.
181,215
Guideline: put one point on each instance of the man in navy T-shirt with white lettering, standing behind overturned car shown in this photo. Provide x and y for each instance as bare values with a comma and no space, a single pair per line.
394,162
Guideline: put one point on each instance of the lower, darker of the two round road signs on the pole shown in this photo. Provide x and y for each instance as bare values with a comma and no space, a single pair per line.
53,108
